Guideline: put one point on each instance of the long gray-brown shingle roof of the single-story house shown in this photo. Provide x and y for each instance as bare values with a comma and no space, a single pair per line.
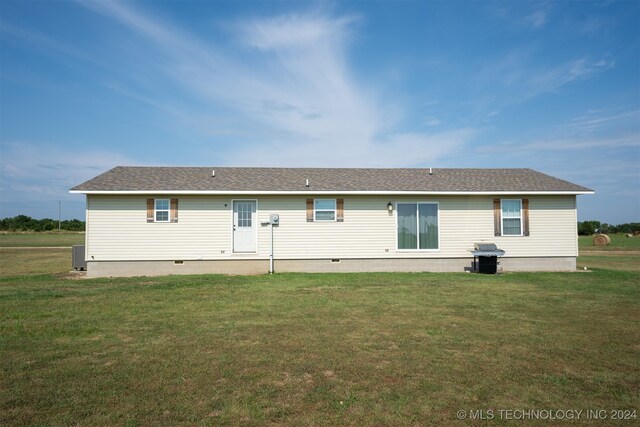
229,179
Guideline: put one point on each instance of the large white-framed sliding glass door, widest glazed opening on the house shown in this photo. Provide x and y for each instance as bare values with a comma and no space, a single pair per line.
417,226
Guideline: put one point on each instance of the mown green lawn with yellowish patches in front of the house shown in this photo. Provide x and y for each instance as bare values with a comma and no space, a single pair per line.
310,349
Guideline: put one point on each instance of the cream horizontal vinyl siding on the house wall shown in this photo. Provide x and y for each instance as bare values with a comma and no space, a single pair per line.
117,229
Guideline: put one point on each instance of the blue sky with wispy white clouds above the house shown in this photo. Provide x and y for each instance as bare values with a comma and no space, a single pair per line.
85,86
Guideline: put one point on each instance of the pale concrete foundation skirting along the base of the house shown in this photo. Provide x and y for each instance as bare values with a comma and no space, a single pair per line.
261,266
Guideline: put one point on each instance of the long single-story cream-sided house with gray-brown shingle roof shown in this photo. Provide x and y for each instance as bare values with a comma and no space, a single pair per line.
178,220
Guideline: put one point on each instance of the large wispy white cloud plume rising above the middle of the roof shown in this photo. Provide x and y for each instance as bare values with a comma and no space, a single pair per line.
298,96
